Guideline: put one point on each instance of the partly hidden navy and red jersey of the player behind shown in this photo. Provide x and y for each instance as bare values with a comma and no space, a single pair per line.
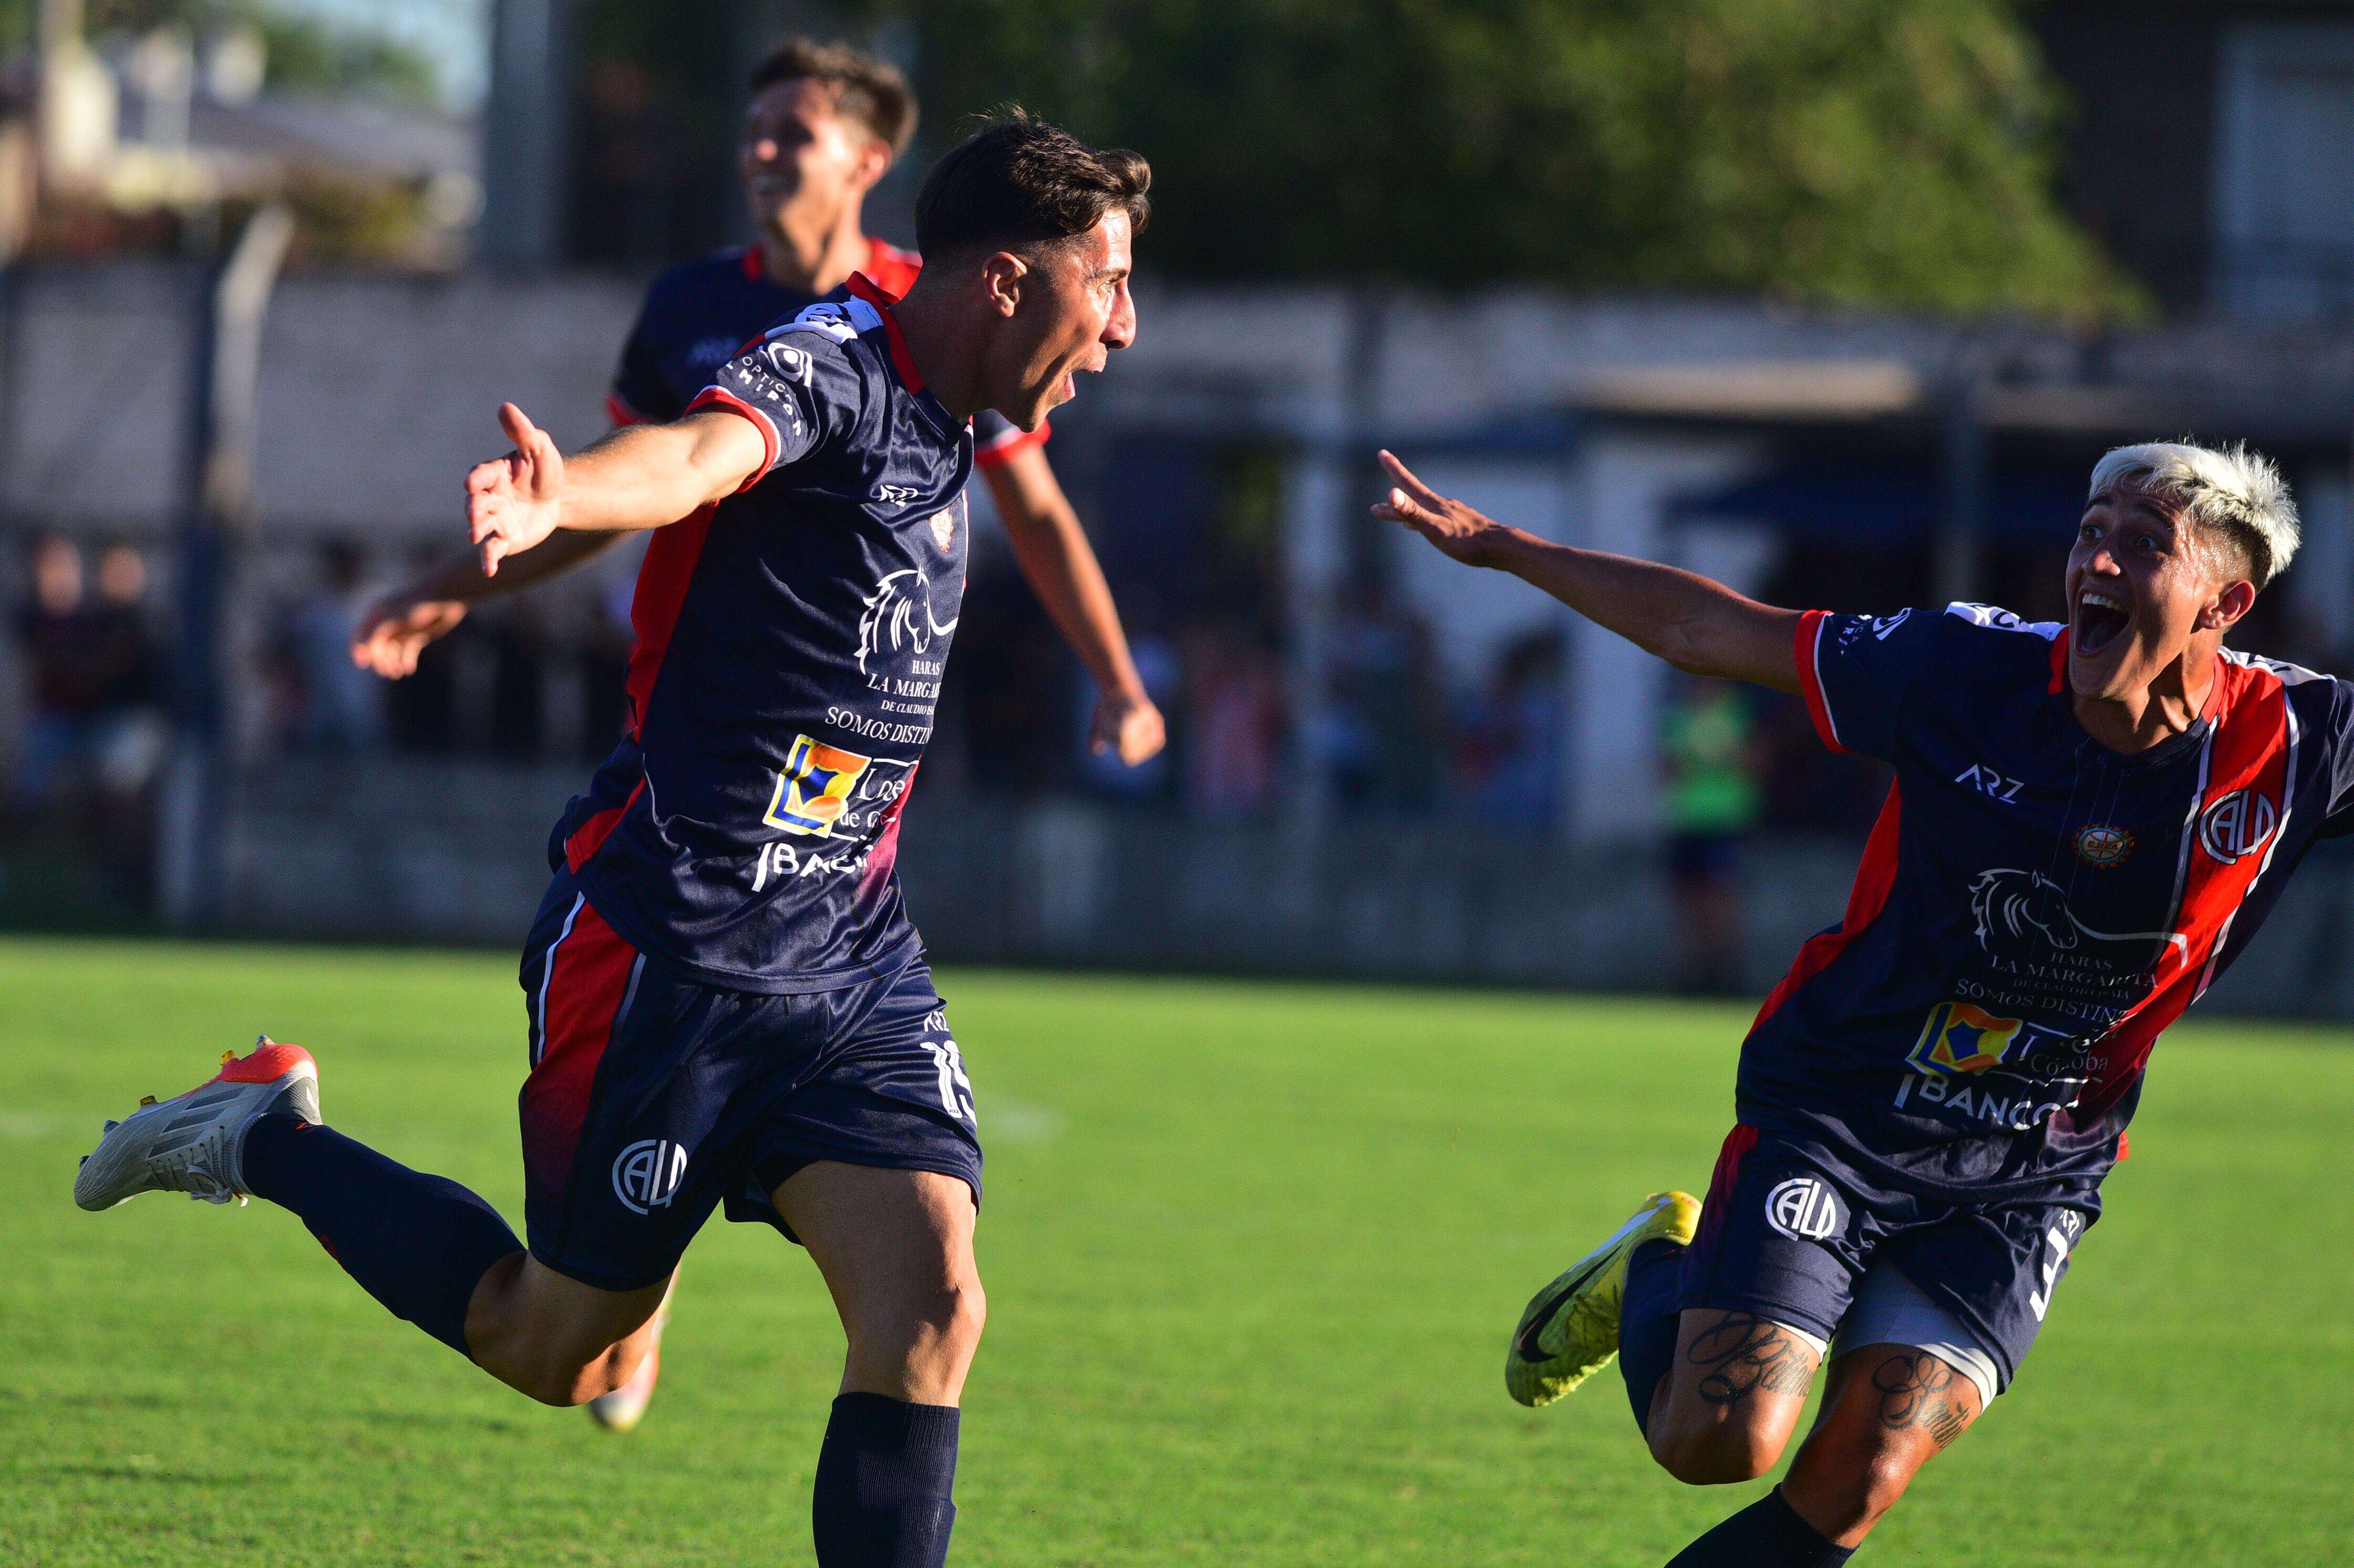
700,314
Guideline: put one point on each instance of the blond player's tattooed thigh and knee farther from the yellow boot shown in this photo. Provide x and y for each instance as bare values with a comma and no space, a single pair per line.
1887,1411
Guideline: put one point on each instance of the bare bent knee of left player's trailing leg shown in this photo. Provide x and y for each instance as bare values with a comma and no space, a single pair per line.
554,1338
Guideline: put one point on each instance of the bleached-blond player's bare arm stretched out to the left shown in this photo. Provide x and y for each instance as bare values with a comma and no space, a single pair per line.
1689,620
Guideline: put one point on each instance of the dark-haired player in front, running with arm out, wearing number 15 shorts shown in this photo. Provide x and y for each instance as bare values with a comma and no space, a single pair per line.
729,1004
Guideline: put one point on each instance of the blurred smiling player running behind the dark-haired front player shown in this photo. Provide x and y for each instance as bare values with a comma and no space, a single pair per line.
823,128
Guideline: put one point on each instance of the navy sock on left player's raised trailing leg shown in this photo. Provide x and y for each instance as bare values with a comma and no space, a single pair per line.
415,1242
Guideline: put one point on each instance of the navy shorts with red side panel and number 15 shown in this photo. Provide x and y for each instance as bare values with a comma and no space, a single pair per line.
656,1101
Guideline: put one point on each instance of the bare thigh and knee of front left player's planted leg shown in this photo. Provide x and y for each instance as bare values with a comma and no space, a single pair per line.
896,1249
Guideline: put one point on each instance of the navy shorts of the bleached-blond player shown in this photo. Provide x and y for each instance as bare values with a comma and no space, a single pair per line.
1788,1242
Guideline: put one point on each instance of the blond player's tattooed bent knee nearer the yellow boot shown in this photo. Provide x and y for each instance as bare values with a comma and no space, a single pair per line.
1731,1397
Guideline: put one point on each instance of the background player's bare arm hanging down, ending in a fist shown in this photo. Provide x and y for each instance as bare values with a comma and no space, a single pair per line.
1070,583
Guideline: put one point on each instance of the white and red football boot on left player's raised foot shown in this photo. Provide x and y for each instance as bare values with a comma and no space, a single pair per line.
197,1141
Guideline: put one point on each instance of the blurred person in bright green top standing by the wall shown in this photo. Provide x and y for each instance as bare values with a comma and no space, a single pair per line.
1713,804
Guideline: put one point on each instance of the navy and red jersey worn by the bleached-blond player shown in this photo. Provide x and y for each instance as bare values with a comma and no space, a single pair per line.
2033,910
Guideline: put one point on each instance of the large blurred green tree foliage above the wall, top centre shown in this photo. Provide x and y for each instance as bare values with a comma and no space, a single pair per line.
1856,152
